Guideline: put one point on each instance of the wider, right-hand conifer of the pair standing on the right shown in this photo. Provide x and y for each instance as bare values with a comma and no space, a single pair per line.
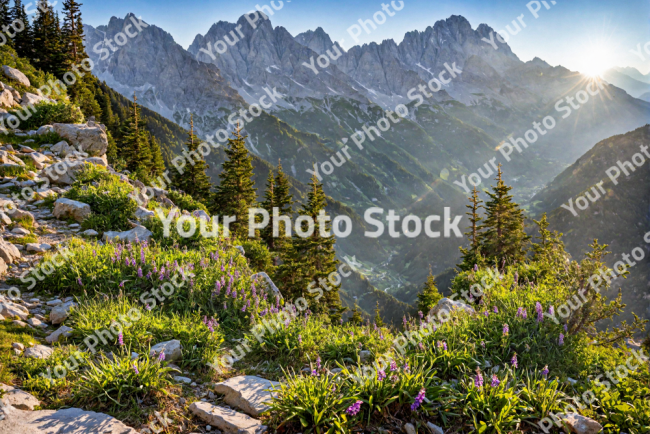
503,235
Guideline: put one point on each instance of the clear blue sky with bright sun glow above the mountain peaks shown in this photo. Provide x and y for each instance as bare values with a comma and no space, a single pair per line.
578,34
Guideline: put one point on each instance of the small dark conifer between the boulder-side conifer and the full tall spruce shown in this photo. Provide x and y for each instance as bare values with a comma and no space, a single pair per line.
193,180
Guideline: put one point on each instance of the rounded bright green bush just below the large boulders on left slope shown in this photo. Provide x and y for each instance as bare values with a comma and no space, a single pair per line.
109,202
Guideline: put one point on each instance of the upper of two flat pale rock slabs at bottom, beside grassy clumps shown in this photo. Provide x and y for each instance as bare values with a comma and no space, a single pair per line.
247,393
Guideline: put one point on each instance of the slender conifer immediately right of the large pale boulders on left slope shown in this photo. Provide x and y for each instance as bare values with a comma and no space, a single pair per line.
135,145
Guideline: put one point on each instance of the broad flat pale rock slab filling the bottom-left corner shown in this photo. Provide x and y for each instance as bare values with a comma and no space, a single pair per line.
68,421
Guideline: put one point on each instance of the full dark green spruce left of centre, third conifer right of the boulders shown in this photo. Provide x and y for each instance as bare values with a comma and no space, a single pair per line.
236,193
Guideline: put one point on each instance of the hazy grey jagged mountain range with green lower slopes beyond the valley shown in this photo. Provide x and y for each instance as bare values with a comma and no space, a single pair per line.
412,166
